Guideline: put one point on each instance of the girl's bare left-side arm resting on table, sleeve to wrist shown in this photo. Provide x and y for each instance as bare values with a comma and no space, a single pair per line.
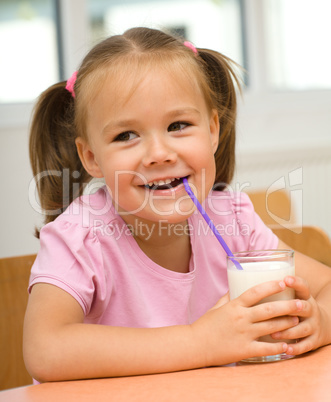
58,346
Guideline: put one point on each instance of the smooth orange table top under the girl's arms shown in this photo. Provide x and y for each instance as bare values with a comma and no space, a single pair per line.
304,378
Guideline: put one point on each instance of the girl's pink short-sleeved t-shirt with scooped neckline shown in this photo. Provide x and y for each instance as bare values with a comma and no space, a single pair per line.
90,252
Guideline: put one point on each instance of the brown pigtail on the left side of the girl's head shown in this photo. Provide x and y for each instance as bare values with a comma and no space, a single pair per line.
56,166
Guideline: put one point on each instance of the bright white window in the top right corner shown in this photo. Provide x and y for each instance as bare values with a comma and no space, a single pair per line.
297,44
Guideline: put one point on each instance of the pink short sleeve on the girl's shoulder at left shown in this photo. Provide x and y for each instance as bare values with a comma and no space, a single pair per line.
70,258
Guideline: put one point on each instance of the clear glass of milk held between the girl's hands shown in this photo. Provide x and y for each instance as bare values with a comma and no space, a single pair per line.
260,266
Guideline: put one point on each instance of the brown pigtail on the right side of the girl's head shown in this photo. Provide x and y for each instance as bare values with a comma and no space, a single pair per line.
222,80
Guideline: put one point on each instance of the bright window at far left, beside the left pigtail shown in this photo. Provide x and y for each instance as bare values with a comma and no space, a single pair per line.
28,47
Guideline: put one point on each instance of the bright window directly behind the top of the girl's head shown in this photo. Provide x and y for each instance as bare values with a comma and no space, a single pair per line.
215,24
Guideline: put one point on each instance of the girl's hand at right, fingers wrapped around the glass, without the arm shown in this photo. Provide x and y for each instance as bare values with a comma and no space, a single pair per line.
310,333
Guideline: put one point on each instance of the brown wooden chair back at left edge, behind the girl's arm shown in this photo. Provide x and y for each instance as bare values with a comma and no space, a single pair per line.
14,278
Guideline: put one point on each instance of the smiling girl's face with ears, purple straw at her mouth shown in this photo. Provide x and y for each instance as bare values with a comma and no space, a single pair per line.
144,137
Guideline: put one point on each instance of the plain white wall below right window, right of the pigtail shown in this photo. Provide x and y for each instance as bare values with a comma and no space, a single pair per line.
289,143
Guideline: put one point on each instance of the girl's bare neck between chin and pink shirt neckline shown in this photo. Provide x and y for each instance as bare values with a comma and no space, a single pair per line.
167,244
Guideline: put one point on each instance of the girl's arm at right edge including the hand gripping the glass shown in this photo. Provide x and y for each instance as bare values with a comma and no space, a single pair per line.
312,284
